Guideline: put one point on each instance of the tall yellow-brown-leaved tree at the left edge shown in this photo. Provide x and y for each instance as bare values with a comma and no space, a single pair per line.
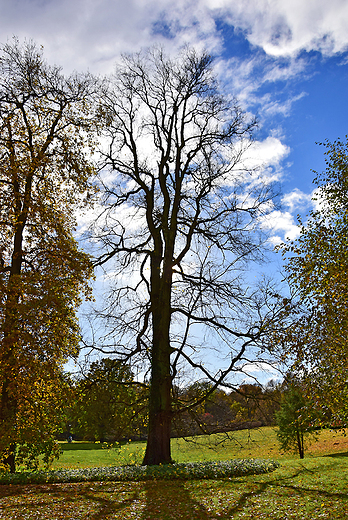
46,138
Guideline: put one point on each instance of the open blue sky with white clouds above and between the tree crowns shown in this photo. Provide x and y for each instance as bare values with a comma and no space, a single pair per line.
287,62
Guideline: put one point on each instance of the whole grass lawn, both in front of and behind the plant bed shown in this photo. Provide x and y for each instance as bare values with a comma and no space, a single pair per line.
314,488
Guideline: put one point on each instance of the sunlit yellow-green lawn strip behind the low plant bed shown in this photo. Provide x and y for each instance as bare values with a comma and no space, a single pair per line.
259,443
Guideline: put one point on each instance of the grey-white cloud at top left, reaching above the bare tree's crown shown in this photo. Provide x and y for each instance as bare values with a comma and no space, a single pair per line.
85,34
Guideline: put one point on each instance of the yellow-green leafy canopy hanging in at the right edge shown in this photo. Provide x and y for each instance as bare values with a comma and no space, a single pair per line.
317,267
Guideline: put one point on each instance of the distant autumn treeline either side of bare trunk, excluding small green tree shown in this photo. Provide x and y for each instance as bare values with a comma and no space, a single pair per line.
107,404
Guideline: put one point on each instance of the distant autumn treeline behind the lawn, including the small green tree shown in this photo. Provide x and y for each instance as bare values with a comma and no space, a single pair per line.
108,405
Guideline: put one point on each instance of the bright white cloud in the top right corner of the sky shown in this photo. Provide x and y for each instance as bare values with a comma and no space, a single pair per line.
284,28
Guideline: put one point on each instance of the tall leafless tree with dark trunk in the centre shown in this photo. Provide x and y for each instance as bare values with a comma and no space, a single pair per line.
180,221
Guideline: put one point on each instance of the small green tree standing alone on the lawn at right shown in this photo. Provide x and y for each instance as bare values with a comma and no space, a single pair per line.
295,421
